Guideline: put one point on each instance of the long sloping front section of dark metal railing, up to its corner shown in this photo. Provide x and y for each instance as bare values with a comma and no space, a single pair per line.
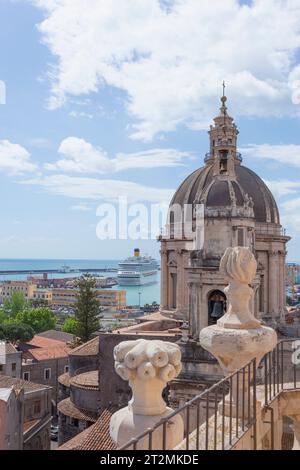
212,421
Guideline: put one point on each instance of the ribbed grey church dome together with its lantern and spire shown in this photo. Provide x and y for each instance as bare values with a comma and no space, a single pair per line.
223,182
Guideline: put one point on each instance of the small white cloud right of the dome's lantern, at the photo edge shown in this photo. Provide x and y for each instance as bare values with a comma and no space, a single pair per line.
285,154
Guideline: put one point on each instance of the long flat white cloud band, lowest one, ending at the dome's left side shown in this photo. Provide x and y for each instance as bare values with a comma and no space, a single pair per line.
97,189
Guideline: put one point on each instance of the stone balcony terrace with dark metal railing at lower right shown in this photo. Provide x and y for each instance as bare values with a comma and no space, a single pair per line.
213,422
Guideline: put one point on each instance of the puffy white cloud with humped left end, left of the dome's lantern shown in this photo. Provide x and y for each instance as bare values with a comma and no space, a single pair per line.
80,156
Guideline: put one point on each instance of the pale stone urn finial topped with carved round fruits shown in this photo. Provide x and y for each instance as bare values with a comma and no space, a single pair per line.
148,366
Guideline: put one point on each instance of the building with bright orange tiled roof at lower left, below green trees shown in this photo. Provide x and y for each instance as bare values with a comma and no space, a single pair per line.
43,360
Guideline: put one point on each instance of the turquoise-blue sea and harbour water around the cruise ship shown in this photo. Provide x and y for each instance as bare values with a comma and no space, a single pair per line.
147,294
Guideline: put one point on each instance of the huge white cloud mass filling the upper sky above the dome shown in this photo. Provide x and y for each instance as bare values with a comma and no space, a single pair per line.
171,57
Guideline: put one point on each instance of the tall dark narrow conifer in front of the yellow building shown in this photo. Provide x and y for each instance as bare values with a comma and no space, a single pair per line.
87,308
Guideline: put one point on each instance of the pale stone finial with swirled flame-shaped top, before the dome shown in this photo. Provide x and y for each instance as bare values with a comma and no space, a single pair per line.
238,336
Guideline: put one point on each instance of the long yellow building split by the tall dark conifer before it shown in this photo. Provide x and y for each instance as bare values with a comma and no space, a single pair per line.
108,298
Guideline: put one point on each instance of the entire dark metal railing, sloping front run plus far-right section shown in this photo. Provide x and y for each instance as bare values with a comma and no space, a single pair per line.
220,416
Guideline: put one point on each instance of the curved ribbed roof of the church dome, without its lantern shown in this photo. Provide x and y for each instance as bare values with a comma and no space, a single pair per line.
202,186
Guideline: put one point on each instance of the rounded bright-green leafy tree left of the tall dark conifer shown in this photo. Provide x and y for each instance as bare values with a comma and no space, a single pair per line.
40,319
